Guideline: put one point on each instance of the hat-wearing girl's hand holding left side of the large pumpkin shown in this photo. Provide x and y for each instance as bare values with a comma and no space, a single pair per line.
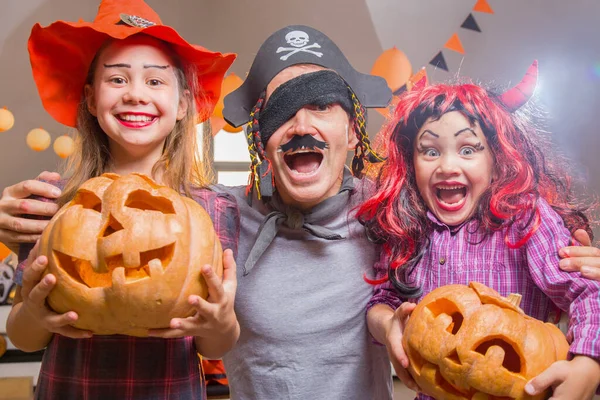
34,292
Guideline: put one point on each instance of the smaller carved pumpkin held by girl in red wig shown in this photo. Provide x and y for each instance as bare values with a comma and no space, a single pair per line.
471,343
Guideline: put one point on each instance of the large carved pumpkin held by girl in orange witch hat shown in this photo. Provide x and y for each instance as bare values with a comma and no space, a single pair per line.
127,253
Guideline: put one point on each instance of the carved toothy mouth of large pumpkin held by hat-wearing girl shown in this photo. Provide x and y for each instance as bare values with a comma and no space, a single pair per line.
83,272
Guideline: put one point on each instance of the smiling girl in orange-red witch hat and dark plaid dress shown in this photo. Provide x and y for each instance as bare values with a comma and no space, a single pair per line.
134,89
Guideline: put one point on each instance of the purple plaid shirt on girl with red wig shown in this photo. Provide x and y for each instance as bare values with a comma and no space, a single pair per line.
456,256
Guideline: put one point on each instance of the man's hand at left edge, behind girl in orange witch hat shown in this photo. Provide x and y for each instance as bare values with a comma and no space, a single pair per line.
13,228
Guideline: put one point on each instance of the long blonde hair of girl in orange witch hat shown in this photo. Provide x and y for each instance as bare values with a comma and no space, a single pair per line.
181,164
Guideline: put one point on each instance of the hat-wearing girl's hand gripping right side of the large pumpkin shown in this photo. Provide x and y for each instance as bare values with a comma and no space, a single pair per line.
215,315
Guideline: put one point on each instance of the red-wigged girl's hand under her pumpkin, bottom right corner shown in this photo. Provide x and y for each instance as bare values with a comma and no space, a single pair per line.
573,380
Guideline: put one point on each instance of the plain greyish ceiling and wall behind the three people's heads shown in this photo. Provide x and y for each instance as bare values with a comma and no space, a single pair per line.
562,35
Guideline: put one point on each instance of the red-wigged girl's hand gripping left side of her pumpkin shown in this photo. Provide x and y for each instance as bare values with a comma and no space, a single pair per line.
394,346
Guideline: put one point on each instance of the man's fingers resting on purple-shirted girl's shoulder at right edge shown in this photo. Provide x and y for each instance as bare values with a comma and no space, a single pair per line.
585,259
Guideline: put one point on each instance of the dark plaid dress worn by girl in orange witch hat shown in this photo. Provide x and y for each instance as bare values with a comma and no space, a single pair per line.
127,367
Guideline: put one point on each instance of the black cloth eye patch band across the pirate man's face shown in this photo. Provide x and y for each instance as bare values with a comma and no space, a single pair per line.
317,89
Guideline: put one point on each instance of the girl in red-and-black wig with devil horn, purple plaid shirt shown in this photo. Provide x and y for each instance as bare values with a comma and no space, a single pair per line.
471,191
